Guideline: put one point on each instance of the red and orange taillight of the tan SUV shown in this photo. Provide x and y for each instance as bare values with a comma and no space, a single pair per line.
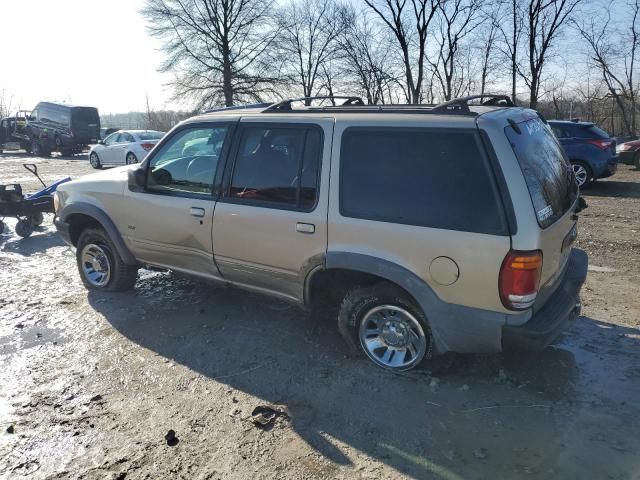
520,279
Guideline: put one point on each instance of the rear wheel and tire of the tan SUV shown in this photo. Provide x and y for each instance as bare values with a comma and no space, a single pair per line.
387,326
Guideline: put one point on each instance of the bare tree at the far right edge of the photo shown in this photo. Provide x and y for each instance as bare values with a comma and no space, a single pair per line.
615,57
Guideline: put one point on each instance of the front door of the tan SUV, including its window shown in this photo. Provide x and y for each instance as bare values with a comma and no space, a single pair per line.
169,221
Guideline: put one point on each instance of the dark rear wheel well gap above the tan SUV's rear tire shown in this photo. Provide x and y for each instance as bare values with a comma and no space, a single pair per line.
332,284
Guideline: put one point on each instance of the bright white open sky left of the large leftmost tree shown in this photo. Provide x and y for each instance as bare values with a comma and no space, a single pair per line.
86,52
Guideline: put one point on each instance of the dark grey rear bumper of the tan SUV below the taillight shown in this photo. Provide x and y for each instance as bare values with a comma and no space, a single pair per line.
564,306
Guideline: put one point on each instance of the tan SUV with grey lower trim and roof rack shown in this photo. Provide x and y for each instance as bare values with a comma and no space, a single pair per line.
435,229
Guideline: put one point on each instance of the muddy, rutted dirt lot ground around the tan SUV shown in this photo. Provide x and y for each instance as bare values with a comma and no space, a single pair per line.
91,383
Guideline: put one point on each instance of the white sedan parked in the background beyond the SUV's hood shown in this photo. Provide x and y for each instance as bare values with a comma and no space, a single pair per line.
124,147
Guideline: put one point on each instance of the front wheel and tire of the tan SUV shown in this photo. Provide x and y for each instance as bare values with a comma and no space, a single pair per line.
99,264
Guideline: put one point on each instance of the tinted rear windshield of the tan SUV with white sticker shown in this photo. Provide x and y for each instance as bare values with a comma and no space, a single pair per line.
547,172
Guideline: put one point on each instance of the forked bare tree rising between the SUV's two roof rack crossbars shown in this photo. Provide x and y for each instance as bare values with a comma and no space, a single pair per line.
409,21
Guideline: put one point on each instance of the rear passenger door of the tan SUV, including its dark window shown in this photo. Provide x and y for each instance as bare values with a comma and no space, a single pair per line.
270,223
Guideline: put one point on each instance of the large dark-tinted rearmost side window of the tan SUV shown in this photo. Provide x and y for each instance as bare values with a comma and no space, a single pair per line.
426,177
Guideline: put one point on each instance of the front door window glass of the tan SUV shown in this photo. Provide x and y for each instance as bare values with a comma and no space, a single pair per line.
187,163
